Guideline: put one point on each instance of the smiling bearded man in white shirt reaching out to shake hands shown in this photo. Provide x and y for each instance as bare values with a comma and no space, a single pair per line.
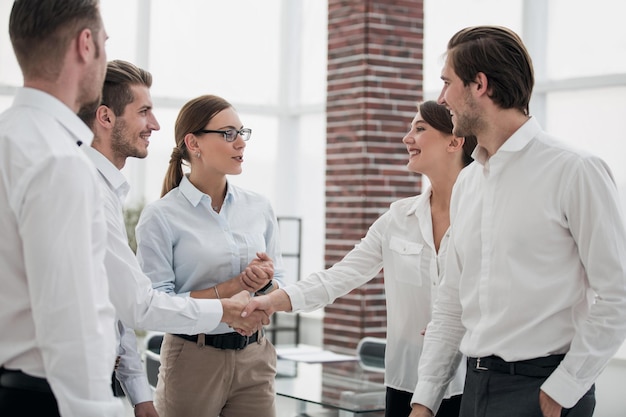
122,125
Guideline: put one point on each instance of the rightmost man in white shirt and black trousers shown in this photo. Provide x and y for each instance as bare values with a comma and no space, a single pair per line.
535,285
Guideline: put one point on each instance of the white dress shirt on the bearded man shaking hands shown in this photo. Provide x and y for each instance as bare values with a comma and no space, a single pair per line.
137,303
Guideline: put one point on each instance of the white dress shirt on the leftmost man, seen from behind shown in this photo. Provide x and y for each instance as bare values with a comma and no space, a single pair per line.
56,318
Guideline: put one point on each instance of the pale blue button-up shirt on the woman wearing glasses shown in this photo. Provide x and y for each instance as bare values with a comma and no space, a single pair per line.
184,245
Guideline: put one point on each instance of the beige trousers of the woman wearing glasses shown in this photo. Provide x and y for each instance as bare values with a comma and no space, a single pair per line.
202,381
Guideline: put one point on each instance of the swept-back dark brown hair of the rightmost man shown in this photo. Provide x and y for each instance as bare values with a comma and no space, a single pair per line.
500,54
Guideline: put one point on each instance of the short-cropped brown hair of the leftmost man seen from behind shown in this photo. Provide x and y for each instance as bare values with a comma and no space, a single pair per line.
41,32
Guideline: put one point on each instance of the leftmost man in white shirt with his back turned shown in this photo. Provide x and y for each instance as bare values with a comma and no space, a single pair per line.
57,345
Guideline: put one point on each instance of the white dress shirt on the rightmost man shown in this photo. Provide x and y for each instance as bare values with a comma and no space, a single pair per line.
536,265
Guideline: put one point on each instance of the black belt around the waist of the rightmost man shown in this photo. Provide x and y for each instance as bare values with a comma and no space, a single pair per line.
539,367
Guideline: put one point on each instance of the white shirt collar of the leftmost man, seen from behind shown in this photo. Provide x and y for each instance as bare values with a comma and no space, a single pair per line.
30,97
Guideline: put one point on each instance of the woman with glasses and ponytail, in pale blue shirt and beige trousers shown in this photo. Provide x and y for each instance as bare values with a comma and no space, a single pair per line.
207,238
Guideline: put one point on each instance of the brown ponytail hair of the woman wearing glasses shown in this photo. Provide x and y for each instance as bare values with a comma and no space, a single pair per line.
193,116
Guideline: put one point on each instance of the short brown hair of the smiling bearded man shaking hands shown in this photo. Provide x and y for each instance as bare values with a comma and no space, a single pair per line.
116,91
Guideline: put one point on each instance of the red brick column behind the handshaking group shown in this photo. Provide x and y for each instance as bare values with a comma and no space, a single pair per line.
374,83
